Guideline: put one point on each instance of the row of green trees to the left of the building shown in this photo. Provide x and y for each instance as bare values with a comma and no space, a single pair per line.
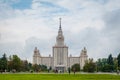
15,64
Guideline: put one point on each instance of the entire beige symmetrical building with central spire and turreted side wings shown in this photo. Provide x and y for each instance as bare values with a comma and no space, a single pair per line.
60,59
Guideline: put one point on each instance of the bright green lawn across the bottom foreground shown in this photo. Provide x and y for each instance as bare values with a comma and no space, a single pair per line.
59,77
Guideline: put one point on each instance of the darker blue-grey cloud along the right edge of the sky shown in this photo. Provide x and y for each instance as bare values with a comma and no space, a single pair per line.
111,31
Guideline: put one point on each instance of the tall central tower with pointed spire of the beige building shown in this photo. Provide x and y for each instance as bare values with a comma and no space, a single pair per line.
60,51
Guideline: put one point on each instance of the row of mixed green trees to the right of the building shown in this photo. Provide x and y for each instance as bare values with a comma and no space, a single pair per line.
110,64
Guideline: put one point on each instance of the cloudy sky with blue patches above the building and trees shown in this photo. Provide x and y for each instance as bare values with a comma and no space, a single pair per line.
26,24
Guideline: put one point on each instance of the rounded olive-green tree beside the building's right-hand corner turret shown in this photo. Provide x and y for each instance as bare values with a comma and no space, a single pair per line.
89,66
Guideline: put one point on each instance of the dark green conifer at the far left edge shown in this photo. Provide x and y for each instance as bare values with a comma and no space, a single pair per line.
3,63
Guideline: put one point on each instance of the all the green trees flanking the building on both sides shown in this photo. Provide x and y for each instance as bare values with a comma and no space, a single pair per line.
14,64
